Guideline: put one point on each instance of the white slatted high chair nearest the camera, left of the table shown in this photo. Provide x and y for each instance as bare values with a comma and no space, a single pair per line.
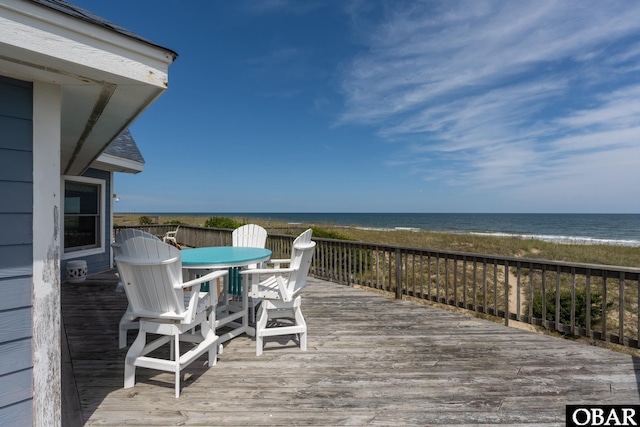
165,305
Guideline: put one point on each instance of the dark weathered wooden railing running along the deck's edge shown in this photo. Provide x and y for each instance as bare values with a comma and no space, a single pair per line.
596,301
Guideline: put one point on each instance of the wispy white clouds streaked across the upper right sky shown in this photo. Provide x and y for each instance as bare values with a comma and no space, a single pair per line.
500,94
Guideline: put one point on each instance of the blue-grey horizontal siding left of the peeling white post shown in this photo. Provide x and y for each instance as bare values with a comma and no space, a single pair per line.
16,251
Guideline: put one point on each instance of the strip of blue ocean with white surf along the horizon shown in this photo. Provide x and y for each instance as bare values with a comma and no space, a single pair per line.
607,229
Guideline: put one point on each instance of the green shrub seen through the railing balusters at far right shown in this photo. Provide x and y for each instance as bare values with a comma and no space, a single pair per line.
565,306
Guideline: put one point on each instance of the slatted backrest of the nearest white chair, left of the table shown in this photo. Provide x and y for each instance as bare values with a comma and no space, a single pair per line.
149,269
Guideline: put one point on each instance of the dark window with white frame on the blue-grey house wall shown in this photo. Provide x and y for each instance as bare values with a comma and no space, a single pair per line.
83,215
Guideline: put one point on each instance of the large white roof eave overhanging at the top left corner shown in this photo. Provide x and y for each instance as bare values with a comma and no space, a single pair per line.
107,79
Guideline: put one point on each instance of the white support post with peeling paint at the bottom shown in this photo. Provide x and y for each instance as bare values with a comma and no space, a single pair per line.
47,213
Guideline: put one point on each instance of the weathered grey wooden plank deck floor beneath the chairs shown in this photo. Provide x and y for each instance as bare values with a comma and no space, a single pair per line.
371,360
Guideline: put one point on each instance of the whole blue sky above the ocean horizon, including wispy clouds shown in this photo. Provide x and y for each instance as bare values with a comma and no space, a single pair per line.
388,106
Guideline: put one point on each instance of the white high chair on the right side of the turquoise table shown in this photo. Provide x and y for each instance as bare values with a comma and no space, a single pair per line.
280,293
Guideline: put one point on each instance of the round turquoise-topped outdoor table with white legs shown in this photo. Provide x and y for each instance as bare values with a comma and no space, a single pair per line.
233,257
